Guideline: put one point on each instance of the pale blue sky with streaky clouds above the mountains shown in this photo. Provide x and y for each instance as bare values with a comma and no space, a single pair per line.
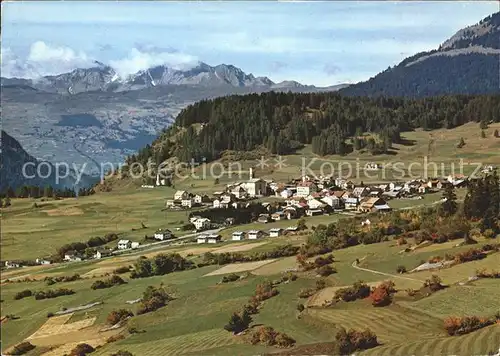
318,43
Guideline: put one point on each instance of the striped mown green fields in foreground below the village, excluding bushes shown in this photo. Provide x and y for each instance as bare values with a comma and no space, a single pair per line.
192,323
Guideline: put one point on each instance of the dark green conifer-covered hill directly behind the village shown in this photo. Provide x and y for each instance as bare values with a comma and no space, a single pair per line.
280,123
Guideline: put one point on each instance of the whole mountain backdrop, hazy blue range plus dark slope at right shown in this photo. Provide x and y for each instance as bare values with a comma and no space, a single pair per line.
92,115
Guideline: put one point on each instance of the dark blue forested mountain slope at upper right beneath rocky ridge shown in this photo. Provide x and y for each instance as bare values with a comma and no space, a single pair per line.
467,63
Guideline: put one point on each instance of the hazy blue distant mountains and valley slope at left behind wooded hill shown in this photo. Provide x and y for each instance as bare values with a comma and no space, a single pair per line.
91,115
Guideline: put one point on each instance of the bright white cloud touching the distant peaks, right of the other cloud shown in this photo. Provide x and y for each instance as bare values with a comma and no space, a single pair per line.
138,60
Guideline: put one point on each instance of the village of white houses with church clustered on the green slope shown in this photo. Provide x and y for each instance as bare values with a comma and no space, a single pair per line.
300,198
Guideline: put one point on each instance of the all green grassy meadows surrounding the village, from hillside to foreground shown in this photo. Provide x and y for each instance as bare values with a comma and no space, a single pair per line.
192,324
